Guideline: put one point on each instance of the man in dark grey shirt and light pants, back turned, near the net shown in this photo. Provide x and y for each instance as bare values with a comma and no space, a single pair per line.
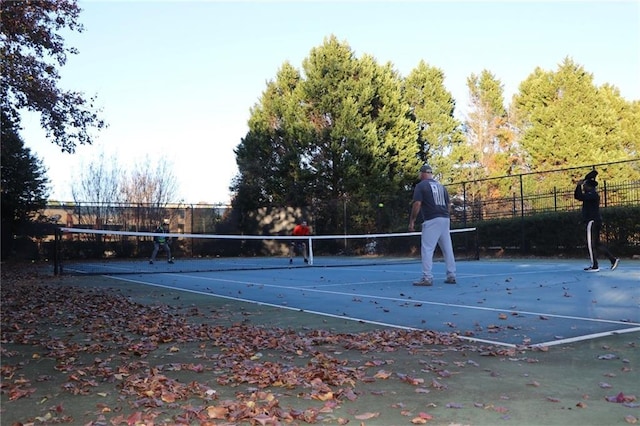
431,199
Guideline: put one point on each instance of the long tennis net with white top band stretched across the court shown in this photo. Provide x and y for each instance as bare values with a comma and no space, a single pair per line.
92,251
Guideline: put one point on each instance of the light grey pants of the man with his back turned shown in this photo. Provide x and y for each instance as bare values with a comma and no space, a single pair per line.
436,232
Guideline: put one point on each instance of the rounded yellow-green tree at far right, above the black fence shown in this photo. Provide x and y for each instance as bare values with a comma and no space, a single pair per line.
565,121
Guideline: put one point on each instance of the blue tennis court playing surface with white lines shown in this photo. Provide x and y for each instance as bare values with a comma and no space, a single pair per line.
505,302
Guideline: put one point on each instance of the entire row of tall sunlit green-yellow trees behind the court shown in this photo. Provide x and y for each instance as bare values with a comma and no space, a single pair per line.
346,134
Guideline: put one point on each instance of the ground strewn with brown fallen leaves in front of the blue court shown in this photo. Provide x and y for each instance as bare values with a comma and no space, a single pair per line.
93,351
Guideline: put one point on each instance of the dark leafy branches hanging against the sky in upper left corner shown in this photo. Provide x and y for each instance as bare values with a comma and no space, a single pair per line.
31,49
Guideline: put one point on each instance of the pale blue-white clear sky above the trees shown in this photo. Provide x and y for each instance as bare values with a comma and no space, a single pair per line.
177,79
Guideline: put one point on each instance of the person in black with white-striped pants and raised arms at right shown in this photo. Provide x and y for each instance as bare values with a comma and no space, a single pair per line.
587,193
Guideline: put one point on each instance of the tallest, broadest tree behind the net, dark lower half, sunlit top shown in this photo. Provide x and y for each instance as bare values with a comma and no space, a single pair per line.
344,133
